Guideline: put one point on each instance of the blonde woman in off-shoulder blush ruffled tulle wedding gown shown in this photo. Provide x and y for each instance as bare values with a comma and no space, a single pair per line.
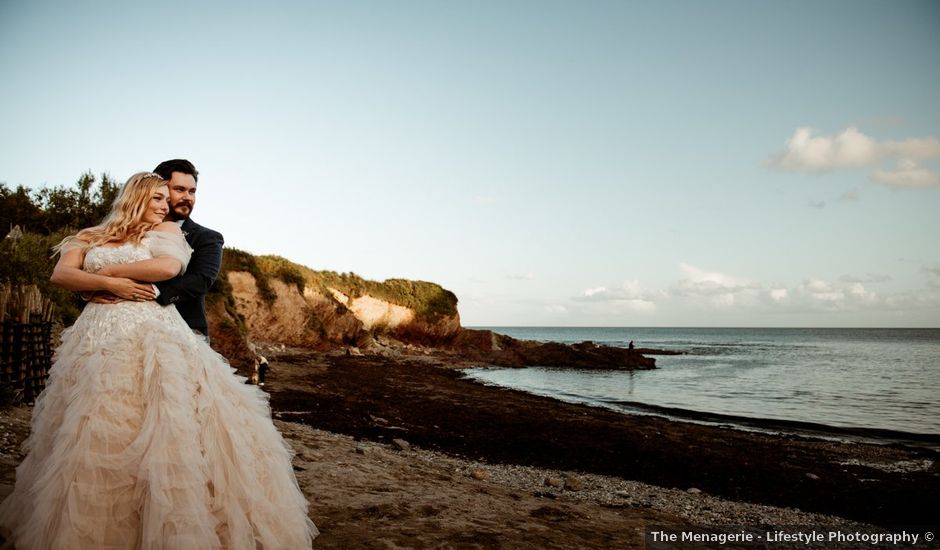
143,437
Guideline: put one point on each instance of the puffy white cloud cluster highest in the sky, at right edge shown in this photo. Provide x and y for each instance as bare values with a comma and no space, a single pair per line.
809,152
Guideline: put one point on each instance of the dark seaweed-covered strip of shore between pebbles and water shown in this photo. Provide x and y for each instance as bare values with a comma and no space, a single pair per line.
426,401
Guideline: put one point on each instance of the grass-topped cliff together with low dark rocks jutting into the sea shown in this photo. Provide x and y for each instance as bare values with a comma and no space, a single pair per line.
270,299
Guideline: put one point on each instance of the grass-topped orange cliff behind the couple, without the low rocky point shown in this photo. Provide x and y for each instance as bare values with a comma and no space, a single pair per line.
273,300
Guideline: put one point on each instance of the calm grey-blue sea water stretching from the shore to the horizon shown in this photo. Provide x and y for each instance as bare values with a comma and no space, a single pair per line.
882,379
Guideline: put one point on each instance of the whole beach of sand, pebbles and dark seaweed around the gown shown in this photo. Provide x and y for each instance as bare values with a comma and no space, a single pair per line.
400,452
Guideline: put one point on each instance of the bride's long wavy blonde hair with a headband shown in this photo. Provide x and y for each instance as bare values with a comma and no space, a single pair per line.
125,222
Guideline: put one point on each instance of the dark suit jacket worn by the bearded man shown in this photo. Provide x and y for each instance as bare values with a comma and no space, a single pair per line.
188,291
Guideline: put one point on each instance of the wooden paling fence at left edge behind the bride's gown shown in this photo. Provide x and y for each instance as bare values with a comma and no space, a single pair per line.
25,341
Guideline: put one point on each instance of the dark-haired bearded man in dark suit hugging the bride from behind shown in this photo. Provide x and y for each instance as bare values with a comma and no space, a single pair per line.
188,291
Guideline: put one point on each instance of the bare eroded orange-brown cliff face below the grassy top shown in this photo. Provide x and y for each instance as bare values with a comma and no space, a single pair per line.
323,321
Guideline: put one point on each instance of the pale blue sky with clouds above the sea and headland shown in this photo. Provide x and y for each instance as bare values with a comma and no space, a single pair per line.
553,163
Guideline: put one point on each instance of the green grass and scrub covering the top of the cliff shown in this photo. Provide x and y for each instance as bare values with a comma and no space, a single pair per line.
429,300
